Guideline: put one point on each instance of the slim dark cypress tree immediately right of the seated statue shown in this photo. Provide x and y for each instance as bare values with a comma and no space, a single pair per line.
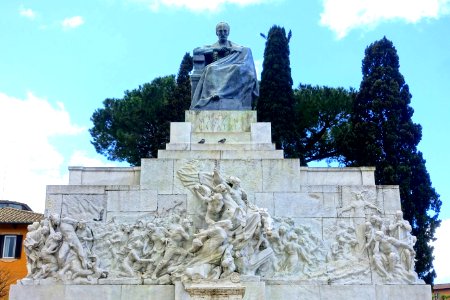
276,100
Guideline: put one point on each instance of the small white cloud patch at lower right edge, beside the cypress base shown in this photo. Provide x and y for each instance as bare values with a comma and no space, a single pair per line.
441,252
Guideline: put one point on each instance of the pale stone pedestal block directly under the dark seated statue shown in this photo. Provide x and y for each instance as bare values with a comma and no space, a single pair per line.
220,120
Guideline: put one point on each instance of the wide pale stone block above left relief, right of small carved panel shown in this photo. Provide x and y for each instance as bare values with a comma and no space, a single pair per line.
128,201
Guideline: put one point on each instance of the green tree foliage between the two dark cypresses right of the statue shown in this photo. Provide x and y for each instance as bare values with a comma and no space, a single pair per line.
321,114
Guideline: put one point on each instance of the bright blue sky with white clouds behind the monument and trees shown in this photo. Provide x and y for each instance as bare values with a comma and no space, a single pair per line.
60,59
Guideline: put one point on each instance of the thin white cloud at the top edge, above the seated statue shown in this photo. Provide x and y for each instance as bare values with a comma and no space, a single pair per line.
196,5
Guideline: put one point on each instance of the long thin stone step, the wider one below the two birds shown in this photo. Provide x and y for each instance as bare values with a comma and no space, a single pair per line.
221,154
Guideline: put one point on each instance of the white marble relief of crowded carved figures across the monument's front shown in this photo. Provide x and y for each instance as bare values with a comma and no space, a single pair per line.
232,236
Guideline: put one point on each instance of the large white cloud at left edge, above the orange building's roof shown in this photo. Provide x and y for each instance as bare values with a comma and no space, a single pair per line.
28,161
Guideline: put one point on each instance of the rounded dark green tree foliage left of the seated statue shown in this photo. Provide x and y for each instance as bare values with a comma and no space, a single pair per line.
135,126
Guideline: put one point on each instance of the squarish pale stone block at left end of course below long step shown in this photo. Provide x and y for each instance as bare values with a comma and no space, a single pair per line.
157,174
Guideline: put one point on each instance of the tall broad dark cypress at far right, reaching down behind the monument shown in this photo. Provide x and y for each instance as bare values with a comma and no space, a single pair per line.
383,135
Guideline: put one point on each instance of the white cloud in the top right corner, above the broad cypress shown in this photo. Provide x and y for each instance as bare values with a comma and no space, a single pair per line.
342,16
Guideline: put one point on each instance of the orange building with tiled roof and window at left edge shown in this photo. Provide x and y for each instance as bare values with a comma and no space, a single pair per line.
14,219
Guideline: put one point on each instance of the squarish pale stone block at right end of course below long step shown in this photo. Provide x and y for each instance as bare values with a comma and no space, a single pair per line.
281,175
